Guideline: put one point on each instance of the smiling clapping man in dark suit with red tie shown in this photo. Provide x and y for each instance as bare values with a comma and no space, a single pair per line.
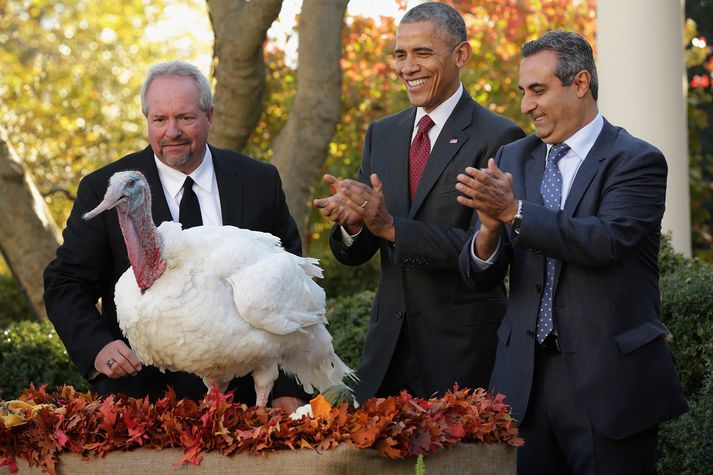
427,331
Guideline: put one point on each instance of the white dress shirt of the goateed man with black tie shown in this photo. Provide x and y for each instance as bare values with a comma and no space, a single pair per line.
205,187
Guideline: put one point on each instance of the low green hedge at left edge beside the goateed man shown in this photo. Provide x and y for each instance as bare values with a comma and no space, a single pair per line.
31,352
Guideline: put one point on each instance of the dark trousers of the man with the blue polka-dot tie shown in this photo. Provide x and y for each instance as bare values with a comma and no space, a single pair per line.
560,439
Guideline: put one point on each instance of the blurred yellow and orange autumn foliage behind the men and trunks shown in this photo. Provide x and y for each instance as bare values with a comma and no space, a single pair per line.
72,71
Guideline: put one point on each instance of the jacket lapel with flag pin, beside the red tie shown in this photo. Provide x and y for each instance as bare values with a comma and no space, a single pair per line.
449,141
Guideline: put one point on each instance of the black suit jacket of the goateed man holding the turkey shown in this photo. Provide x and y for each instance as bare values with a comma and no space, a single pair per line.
93,257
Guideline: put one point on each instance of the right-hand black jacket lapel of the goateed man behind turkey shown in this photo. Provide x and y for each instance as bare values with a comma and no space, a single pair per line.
230,188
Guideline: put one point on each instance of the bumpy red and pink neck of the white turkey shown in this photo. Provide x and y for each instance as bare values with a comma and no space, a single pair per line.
143,245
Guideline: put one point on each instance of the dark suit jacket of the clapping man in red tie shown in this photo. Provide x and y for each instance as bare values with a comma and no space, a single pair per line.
451,329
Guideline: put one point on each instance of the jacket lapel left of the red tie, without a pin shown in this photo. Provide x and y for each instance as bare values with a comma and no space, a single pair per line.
396,194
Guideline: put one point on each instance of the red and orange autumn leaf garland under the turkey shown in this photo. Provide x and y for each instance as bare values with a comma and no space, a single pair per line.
46,424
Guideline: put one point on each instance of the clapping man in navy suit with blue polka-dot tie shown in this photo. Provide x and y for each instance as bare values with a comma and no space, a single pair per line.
574,211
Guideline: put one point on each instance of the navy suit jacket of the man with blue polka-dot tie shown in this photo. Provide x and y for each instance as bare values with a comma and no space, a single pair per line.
606,302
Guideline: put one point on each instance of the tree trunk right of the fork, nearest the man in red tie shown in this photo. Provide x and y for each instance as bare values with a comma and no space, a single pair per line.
301,147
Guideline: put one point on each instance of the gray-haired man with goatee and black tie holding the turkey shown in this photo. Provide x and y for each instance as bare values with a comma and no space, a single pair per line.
232,189
